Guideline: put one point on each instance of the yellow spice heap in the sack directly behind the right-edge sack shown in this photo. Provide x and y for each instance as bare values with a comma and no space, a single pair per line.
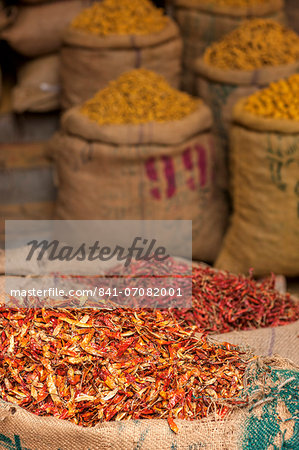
256,43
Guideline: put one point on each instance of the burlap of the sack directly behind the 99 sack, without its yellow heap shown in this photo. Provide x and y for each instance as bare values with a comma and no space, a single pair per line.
89,62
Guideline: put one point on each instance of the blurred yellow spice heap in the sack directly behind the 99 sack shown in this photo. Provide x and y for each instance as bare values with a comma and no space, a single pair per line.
121,17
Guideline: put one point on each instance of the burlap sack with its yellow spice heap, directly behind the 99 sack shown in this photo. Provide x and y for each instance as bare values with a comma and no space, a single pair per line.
113,37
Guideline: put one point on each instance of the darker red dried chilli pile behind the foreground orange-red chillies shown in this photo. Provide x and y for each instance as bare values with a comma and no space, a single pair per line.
221,301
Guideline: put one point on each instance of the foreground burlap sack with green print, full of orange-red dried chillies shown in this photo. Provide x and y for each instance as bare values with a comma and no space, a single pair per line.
112,379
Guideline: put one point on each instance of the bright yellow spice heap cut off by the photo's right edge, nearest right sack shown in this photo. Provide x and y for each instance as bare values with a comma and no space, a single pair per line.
279,100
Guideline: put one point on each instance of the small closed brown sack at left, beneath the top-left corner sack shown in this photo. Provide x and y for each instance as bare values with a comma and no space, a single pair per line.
38,88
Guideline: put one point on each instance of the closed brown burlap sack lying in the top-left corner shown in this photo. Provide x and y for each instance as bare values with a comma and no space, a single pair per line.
38,29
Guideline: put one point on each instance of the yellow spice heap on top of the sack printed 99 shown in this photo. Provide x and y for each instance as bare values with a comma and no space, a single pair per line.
139,96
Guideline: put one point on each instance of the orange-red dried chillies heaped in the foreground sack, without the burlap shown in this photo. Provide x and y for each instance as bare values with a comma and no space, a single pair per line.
89,366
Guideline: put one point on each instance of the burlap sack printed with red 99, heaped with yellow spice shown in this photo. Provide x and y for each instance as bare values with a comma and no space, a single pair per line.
141,150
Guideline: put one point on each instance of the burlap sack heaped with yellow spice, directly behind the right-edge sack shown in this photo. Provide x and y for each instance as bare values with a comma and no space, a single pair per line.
247,59
